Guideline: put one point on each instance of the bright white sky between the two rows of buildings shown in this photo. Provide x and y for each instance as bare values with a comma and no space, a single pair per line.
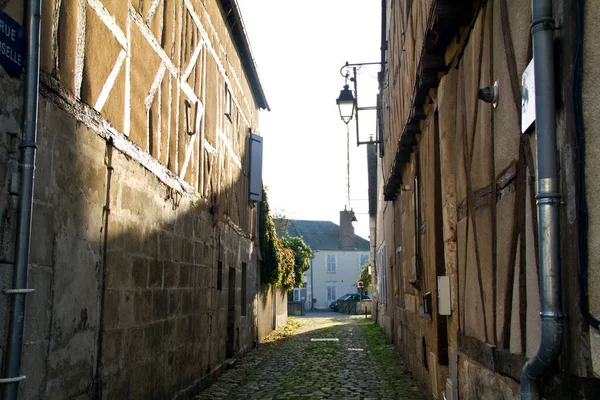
299,48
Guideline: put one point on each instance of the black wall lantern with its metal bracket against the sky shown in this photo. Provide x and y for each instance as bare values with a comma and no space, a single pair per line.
348,102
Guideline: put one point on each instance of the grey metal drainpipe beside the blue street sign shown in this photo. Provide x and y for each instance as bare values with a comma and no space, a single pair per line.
12,377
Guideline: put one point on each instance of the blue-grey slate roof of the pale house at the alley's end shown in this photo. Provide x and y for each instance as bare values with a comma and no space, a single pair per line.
322,235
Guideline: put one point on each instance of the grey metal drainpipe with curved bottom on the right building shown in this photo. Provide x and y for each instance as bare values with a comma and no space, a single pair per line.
548,198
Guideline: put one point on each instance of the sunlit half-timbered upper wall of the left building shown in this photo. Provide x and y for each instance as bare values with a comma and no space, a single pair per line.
164,74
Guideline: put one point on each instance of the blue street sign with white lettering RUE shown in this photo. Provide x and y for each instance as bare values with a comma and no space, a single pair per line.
12,44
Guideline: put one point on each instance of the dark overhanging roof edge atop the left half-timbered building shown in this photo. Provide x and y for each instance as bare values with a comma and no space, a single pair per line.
233,18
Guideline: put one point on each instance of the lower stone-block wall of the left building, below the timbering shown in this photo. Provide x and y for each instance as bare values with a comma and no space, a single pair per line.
131,279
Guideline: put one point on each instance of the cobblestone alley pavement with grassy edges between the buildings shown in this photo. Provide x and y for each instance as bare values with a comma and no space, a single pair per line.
330,356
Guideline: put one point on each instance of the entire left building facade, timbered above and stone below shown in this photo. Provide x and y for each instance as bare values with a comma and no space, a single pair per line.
144,255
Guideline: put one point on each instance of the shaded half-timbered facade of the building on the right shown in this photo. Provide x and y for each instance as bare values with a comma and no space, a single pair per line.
456,197
